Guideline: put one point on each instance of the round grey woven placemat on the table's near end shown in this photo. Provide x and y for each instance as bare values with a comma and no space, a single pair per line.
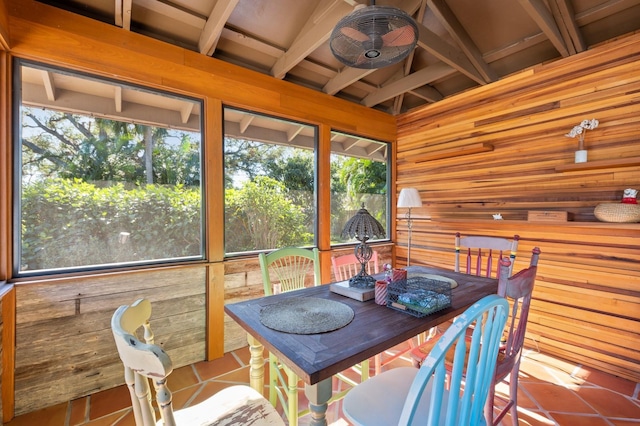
306,315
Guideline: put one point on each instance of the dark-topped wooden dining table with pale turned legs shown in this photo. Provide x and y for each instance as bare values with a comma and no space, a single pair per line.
316,358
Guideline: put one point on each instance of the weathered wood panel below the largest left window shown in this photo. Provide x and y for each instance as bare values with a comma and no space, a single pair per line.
64,340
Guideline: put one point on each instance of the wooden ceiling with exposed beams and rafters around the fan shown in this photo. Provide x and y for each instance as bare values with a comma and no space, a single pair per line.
462,44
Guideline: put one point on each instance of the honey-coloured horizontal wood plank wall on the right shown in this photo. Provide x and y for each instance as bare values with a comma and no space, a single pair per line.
586,304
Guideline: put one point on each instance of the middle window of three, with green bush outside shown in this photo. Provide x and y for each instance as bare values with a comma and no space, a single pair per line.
270,173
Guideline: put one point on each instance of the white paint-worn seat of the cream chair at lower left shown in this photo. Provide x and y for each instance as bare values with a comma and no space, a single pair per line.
235,405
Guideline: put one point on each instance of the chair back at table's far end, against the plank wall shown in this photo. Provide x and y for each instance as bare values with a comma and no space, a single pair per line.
479,252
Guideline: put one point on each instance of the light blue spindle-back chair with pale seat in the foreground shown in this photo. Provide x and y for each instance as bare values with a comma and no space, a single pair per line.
409,396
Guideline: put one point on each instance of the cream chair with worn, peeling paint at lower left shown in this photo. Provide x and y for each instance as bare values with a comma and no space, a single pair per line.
236,405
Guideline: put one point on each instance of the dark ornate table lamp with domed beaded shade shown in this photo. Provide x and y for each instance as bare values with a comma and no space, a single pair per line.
362,226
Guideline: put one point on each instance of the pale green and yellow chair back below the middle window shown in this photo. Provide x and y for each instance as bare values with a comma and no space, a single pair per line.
289,269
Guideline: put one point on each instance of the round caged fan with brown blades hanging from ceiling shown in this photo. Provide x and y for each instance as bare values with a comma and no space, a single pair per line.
374,37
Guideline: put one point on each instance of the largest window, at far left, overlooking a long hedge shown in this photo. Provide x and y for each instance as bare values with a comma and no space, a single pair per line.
106,174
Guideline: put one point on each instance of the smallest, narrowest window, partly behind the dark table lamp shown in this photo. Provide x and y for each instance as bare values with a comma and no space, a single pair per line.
359,176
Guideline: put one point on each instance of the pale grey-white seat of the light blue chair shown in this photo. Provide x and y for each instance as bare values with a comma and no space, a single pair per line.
389,388
